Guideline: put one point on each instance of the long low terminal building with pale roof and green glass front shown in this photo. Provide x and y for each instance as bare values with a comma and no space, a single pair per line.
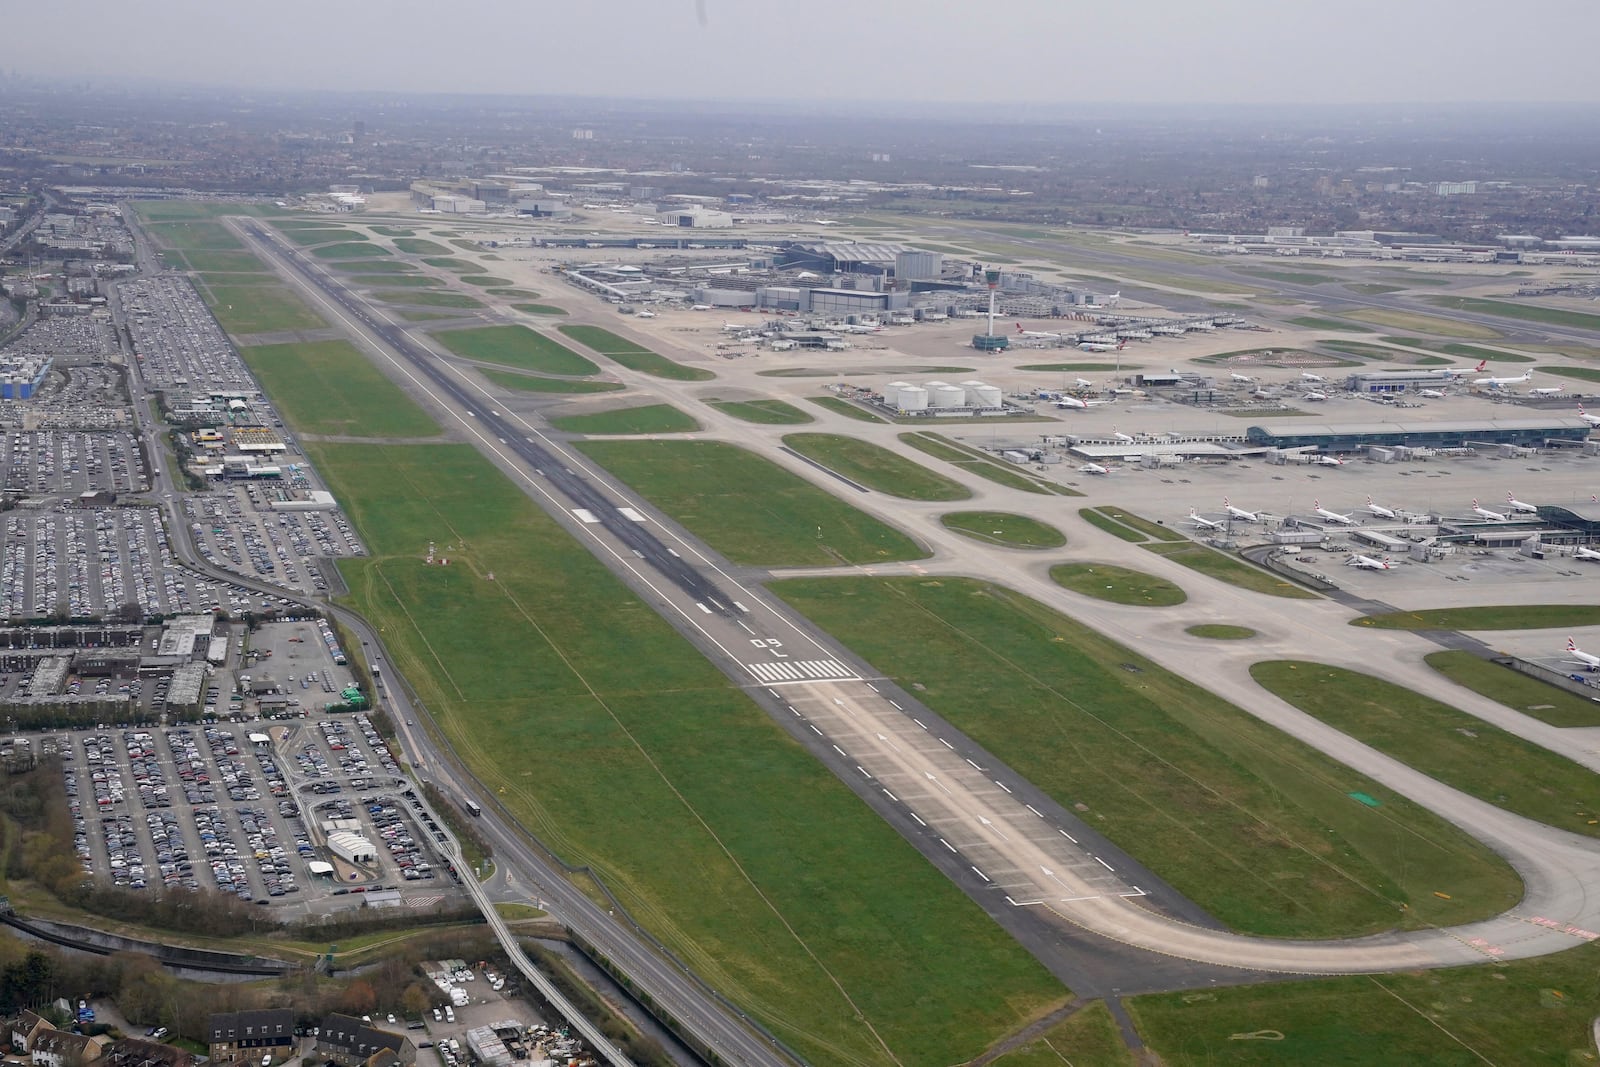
1361,436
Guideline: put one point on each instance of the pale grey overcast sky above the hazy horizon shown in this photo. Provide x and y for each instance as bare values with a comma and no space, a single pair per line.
1054,52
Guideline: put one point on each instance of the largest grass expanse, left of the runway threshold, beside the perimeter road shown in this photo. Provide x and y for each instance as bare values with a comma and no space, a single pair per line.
612,738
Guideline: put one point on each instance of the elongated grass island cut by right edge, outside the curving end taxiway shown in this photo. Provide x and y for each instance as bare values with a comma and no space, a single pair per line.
1444,743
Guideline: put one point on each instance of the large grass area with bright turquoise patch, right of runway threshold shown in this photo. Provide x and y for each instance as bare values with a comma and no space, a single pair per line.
1249,823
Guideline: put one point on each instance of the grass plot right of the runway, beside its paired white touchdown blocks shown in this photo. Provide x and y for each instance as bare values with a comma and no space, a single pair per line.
748,508
